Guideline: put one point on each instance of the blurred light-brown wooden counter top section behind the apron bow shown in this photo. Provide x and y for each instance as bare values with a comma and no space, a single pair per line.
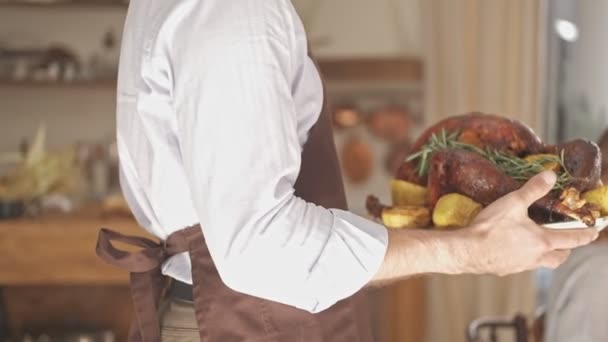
59,249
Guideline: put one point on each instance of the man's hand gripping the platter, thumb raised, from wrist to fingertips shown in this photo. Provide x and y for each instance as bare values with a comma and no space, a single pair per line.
507,241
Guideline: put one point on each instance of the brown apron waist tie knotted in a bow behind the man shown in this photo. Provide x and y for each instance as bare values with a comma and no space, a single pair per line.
146,279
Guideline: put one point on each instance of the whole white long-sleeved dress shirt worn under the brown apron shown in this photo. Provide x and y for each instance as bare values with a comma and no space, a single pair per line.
215,101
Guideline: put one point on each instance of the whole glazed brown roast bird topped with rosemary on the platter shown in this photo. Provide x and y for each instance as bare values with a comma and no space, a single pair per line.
483,157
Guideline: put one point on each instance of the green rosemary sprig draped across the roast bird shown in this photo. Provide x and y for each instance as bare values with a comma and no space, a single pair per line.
513,166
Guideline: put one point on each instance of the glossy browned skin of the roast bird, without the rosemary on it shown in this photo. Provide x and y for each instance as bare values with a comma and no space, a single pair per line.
471,174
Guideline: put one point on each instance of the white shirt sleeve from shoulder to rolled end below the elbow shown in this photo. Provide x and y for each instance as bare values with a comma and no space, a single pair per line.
238,139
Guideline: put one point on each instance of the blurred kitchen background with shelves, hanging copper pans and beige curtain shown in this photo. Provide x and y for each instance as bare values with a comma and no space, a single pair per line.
392,67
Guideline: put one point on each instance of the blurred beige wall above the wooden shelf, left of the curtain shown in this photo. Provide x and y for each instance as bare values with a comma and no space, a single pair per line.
363,27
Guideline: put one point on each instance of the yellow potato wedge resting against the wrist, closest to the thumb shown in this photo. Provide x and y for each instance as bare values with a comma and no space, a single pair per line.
455,210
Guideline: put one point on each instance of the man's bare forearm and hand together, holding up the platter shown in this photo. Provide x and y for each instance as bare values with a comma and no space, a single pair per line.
502,240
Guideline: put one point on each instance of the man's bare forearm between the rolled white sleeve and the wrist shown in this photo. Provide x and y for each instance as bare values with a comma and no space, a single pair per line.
415,252
